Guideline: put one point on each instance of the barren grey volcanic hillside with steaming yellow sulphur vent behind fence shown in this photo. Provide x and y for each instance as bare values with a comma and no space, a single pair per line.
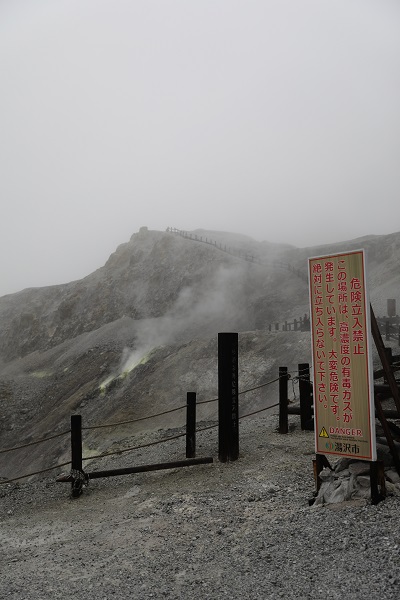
133,337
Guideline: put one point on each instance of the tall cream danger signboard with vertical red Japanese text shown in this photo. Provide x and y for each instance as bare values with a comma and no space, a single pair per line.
344,412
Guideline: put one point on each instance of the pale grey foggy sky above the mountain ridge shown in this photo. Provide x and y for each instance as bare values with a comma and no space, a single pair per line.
278,119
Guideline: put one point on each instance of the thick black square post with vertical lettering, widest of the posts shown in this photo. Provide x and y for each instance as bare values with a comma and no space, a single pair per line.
228,397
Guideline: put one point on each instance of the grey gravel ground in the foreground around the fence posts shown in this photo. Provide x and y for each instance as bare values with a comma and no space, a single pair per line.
238,530
